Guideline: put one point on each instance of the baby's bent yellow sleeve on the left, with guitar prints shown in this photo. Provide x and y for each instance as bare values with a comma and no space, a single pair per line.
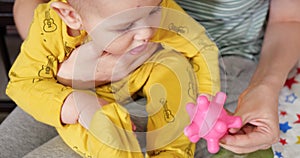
33,85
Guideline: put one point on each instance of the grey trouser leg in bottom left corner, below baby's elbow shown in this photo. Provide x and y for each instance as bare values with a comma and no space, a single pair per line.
20,134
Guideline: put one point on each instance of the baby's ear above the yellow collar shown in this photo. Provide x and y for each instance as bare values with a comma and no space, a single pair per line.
68,14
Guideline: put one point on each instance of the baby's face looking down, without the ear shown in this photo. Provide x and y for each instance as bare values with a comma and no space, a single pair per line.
124,26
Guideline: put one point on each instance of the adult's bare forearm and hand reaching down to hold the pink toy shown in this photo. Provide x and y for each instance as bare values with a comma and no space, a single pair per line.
258,104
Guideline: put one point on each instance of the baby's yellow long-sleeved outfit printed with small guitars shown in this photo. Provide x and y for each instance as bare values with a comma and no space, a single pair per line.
166,80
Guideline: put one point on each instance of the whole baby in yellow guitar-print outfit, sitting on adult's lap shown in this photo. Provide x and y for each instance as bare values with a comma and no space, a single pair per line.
139,33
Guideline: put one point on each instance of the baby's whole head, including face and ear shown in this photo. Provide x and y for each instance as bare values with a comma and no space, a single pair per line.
112,18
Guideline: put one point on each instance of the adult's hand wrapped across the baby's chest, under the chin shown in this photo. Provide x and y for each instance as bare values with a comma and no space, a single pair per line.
86,68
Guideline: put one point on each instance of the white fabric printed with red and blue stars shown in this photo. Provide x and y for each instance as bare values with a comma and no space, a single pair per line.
289,118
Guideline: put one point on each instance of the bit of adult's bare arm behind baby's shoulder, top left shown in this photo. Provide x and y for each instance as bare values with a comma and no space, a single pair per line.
23,11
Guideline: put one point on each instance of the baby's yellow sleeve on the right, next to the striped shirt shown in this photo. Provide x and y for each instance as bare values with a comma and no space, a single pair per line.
182,33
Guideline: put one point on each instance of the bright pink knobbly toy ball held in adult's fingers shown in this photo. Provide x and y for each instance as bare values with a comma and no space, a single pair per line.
210,121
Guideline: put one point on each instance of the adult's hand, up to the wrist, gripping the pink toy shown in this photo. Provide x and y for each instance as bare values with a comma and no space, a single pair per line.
257,107
